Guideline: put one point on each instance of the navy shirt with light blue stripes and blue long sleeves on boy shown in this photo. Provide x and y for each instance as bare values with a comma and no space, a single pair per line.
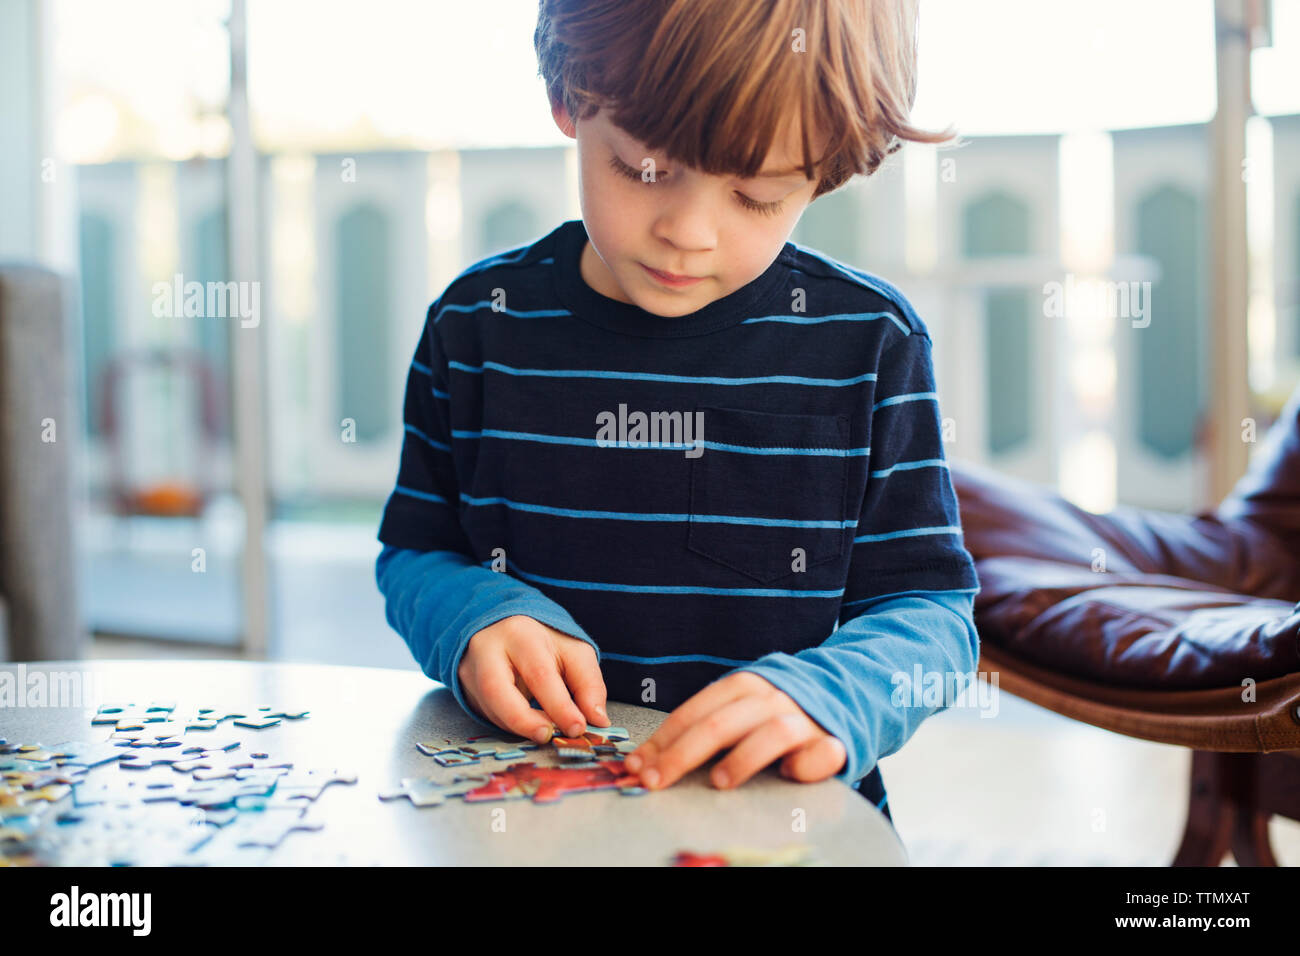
759,486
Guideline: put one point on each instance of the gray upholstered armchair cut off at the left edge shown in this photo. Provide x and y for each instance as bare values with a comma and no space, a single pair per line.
40,616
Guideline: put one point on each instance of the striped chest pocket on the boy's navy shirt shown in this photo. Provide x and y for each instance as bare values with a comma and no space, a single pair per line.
765,486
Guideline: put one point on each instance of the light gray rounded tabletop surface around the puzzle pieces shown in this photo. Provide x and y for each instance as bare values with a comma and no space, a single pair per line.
367,721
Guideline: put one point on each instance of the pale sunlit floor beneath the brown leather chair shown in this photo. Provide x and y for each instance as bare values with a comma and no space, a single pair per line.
1028,788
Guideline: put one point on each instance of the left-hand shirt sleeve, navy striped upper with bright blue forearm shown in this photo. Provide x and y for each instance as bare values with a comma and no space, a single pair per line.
437,596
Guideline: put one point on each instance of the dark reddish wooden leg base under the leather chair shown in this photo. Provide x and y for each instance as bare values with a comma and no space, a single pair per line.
1223,814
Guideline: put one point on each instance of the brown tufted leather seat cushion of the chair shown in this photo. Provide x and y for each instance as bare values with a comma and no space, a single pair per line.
1184,602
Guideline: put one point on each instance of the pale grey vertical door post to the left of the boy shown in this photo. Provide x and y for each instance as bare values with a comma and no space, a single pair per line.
246,353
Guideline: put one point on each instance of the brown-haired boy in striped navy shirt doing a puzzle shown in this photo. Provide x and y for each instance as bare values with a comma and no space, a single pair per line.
665,456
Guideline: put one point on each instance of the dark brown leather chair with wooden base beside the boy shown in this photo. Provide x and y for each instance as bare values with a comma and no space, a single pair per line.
1169,628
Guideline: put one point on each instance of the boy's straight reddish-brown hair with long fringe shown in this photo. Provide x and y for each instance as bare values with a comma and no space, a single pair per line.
712,83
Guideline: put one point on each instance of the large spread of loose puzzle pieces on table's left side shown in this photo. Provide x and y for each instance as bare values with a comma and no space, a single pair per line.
166,799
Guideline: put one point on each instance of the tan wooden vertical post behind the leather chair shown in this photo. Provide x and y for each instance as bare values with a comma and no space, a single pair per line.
1230,399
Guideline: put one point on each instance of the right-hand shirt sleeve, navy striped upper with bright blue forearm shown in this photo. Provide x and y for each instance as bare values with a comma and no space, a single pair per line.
909,600
